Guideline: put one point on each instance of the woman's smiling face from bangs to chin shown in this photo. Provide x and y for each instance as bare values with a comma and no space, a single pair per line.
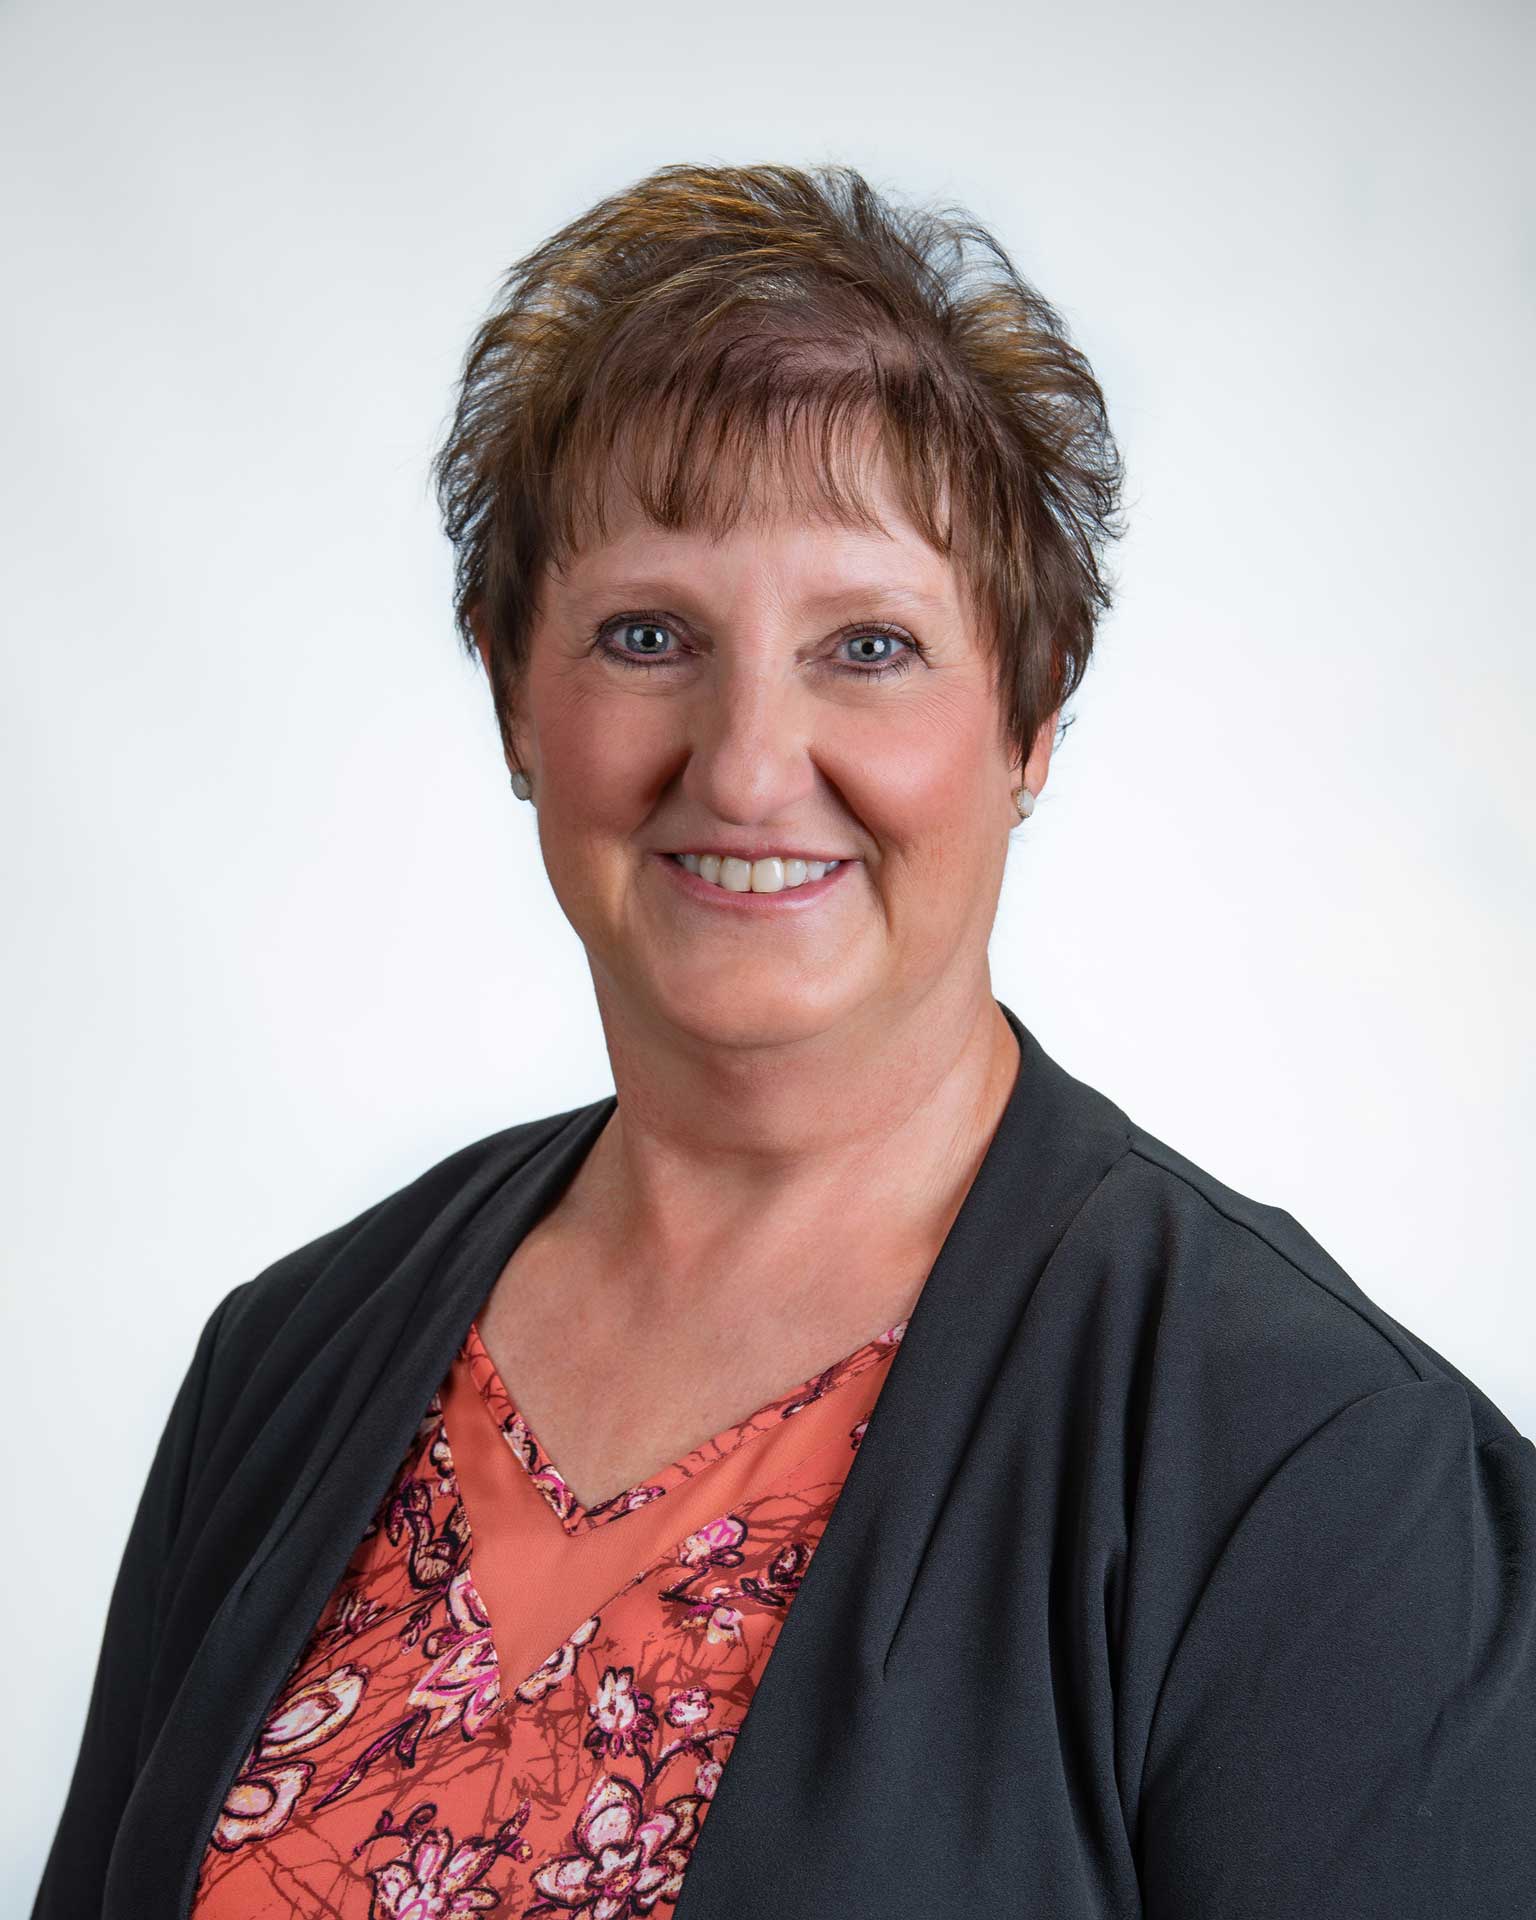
794,690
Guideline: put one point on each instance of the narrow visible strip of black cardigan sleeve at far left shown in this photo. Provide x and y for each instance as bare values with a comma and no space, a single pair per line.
110,1748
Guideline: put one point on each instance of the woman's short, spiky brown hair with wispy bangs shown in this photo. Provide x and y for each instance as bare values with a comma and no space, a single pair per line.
711,322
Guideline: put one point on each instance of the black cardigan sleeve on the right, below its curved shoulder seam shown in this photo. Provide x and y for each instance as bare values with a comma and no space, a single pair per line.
1349,1721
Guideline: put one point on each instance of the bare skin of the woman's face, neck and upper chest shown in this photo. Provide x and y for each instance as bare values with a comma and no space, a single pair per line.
804,1097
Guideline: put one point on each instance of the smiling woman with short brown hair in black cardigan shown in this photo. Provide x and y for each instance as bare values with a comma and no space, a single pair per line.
1115,1552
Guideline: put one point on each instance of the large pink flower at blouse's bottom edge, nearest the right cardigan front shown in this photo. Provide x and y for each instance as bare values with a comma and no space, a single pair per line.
629,1860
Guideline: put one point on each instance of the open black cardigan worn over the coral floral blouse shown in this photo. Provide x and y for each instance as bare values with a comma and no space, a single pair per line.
1172,1577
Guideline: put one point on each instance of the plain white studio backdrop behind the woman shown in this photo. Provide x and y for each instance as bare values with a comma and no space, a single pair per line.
279,934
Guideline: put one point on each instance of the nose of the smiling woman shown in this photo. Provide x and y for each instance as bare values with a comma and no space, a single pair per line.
750,734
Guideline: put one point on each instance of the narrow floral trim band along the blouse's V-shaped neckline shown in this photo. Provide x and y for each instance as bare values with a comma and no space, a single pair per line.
558,1495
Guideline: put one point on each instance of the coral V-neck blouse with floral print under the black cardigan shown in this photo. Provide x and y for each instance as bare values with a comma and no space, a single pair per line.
514,1702
